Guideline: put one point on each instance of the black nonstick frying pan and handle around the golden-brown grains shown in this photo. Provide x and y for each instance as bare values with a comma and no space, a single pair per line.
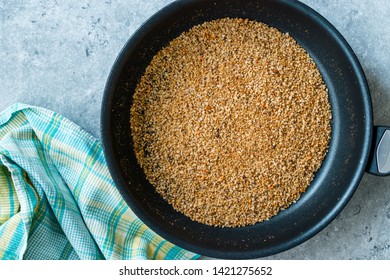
349,153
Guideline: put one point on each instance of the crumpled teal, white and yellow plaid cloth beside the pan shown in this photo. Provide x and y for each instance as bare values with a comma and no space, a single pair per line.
57,198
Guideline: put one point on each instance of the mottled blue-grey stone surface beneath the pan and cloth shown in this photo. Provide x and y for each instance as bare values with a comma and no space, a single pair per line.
57,54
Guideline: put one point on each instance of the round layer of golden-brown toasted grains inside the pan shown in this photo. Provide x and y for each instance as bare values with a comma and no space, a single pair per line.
230,122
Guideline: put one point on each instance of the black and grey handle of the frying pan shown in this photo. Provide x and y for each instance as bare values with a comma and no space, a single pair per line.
379,162
